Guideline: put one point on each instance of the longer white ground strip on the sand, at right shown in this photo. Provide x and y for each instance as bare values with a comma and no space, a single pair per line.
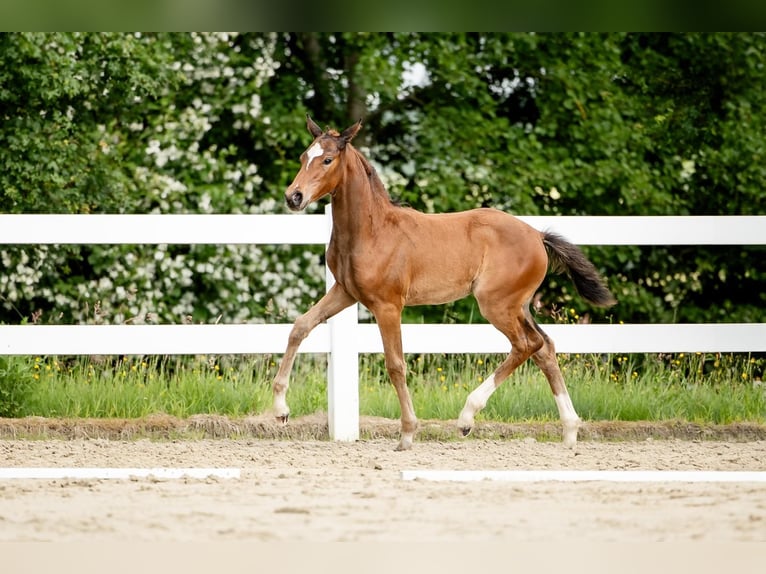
586,475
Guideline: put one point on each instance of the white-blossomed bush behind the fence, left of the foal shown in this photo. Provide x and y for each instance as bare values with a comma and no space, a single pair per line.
181,159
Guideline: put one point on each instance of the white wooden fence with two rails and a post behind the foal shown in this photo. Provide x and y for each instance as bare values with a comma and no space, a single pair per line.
343,338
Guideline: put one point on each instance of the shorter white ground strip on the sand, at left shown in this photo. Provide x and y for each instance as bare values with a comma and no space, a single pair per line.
118,473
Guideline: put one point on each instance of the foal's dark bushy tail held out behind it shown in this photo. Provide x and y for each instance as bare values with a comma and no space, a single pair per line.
567,257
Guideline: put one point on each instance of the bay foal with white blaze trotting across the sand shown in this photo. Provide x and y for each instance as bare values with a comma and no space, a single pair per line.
385,257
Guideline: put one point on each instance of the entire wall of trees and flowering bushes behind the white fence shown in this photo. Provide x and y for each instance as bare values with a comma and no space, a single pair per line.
598,124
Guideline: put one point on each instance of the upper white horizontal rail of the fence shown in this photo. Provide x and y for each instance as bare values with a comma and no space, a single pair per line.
315,229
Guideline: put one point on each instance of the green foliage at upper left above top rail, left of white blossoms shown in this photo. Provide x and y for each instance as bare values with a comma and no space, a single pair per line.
64,99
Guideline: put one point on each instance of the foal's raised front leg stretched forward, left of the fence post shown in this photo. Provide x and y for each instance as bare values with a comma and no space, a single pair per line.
333,302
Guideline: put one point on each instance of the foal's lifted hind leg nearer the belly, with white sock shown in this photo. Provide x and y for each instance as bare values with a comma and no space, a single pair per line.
525,340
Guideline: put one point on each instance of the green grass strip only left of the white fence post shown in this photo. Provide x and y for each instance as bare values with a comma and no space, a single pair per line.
134,387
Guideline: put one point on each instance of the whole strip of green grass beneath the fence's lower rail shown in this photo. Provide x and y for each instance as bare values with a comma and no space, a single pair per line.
697,388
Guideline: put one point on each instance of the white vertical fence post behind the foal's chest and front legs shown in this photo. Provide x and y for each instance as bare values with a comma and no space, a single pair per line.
342,369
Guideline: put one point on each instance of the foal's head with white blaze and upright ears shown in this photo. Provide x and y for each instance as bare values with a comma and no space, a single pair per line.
321,165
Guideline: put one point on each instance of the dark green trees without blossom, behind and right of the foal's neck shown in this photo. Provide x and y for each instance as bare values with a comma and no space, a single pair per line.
612,124
